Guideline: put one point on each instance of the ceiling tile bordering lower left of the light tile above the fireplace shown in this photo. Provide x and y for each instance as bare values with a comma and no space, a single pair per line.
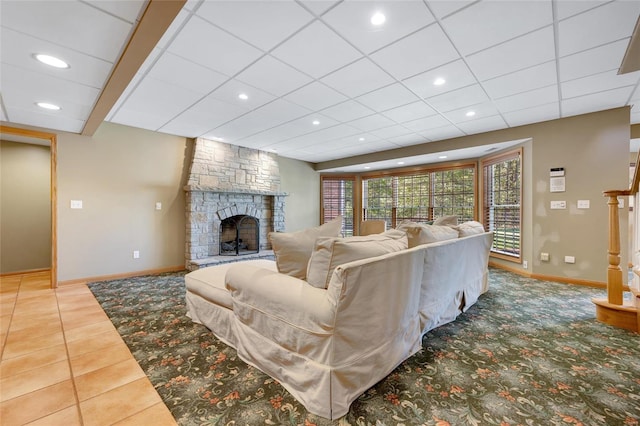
203,116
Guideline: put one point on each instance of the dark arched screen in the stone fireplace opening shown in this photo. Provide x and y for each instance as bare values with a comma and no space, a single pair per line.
239,235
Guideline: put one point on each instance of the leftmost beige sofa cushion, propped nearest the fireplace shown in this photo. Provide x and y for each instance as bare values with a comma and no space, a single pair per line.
293,249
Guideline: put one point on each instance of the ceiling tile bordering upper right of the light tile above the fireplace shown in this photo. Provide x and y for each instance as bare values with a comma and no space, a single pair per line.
288,79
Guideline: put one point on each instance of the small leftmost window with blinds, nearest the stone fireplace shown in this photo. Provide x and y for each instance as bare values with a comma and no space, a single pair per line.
337,199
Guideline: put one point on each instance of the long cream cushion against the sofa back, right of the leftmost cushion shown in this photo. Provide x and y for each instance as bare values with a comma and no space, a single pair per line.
330,253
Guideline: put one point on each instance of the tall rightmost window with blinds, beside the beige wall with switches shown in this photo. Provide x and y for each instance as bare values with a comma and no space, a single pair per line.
501,204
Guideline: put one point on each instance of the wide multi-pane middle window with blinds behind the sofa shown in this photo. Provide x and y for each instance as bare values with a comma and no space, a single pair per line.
420,196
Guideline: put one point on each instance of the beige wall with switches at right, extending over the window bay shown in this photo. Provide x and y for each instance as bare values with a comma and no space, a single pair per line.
594,150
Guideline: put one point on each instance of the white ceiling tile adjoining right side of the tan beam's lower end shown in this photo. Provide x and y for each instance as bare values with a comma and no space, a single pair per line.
161,100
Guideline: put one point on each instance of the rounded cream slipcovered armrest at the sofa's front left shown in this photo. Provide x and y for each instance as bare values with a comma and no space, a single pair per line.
287,300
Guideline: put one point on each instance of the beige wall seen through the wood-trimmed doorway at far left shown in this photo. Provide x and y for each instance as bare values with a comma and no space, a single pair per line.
25,207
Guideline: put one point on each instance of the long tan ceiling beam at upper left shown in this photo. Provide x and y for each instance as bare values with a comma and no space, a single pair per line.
157,17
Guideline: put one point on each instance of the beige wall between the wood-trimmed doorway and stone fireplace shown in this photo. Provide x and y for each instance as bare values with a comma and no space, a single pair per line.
119,174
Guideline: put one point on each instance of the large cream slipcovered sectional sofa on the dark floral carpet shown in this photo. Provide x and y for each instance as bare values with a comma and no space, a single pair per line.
328,342
